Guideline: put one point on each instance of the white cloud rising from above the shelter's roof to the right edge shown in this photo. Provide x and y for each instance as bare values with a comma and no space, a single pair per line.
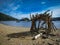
55,9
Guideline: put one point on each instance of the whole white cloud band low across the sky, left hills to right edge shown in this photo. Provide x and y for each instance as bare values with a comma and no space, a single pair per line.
55,9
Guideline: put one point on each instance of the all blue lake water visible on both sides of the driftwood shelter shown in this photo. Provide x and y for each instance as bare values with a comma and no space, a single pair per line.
25,23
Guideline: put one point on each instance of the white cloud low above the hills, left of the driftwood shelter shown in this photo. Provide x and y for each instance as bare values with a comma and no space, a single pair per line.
19,15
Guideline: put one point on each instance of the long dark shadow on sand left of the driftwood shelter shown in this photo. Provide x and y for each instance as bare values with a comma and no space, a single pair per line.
20,34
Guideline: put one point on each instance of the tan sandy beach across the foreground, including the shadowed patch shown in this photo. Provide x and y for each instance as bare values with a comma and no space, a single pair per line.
10,35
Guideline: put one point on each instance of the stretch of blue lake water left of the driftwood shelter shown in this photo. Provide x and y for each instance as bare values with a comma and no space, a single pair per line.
14,23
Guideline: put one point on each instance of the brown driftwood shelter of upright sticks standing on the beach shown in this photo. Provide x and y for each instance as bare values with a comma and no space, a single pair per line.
47,21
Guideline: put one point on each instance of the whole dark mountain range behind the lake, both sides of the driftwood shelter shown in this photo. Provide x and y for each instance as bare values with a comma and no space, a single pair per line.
4,17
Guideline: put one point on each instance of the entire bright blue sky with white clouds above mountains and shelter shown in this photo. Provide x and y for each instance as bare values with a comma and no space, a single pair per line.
23,8
